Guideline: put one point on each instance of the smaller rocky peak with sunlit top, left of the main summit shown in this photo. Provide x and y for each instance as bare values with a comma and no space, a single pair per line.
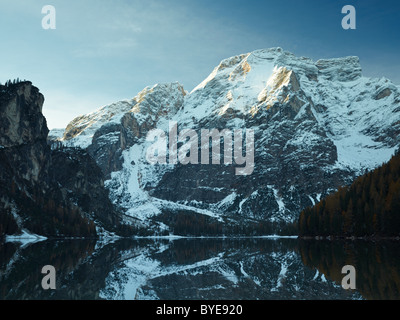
111,130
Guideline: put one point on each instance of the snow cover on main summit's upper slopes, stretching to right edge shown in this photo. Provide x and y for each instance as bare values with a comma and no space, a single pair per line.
342,100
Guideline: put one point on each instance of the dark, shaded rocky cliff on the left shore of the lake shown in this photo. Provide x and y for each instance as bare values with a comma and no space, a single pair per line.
50,193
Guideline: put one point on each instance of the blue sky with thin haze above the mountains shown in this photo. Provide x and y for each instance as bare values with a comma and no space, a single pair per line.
103,51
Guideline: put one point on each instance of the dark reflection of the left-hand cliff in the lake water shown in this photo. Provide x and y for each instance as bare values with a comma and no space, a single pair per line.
80,269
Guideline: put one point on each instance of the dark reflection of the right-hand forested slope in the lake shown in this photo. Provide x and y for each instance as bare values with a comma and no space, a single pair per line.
377,264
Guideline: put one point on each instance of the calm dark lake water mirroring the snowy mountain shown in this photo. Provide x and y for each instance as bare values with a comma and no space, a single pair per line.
256,269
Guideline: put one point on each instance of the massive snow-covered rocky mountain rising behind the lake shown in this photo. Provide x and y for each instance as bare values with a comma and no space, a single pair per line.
317,125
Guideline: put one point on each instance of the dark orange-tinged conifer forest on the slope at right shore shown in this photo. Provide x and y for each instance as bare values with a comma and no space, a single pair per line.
370,207
